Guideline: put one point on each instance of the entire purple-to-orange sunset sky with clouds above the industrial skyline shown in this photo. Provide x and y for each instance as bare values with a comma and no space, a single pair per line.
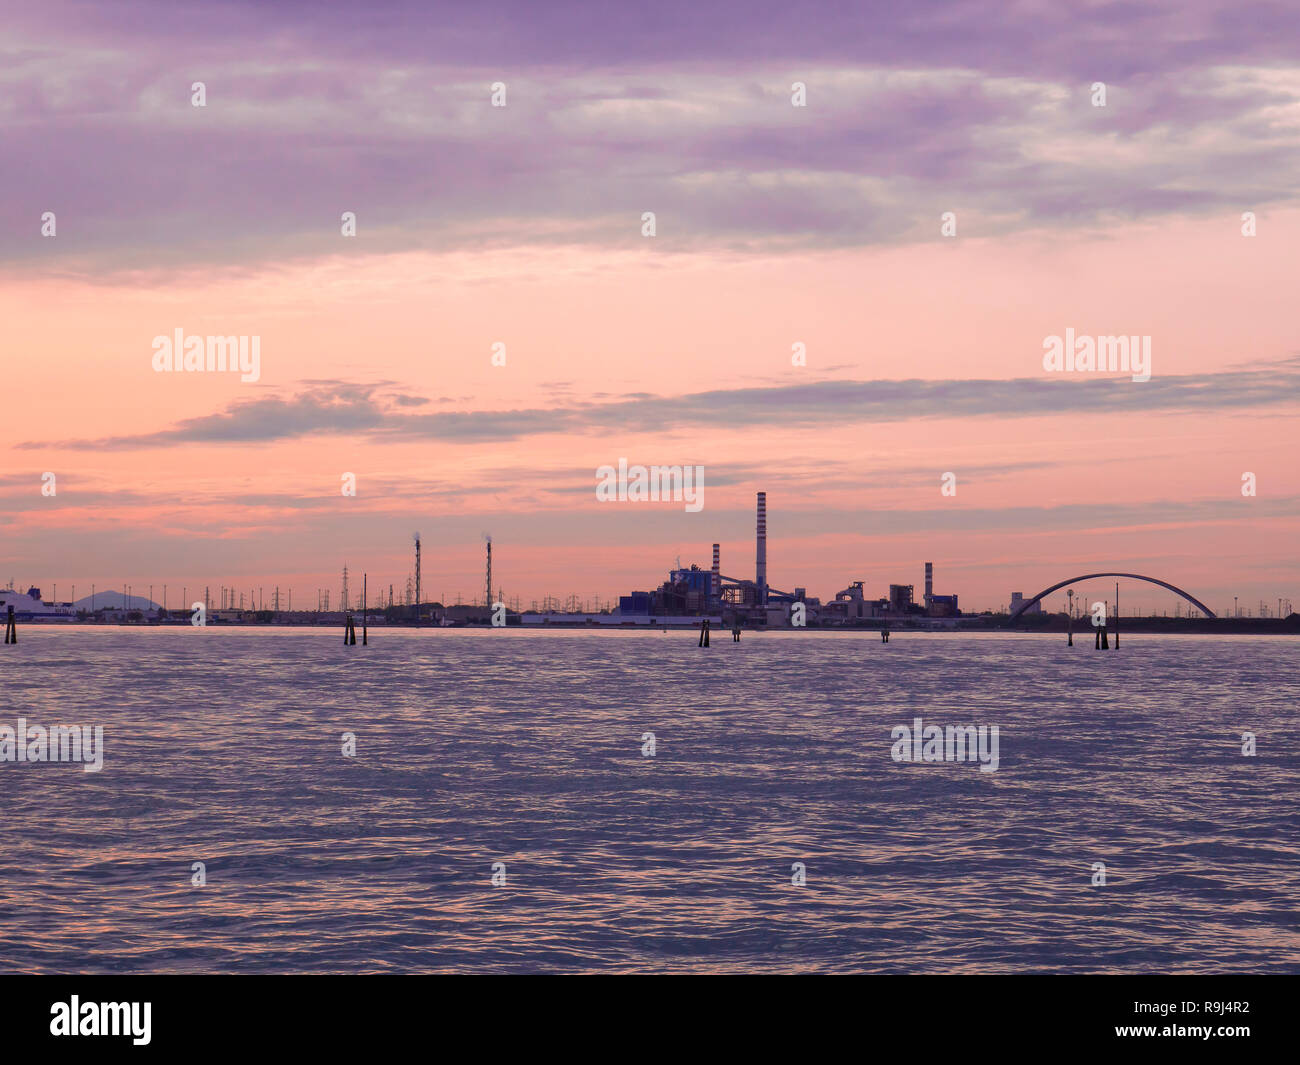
519,230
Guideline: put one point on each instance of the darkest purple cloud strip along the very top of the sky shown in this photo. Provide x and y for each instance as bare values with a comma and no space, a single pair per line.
578,36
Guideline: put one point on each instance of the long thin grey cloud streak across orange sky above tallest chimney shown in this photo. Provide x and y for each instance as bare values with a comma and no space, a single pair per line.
359,410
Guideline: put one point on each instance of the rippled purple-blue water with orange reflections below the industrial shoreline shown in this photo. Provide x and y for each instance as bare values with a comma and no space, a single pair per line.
224,747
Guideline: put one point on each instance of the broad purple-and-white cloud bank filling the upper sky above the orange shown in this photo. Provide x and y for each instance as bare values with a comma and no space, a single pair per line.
911,111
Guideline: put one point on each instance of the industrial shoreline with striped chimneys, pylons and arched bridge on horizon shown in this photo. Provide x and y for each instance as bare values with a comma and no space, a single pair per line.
690,598
